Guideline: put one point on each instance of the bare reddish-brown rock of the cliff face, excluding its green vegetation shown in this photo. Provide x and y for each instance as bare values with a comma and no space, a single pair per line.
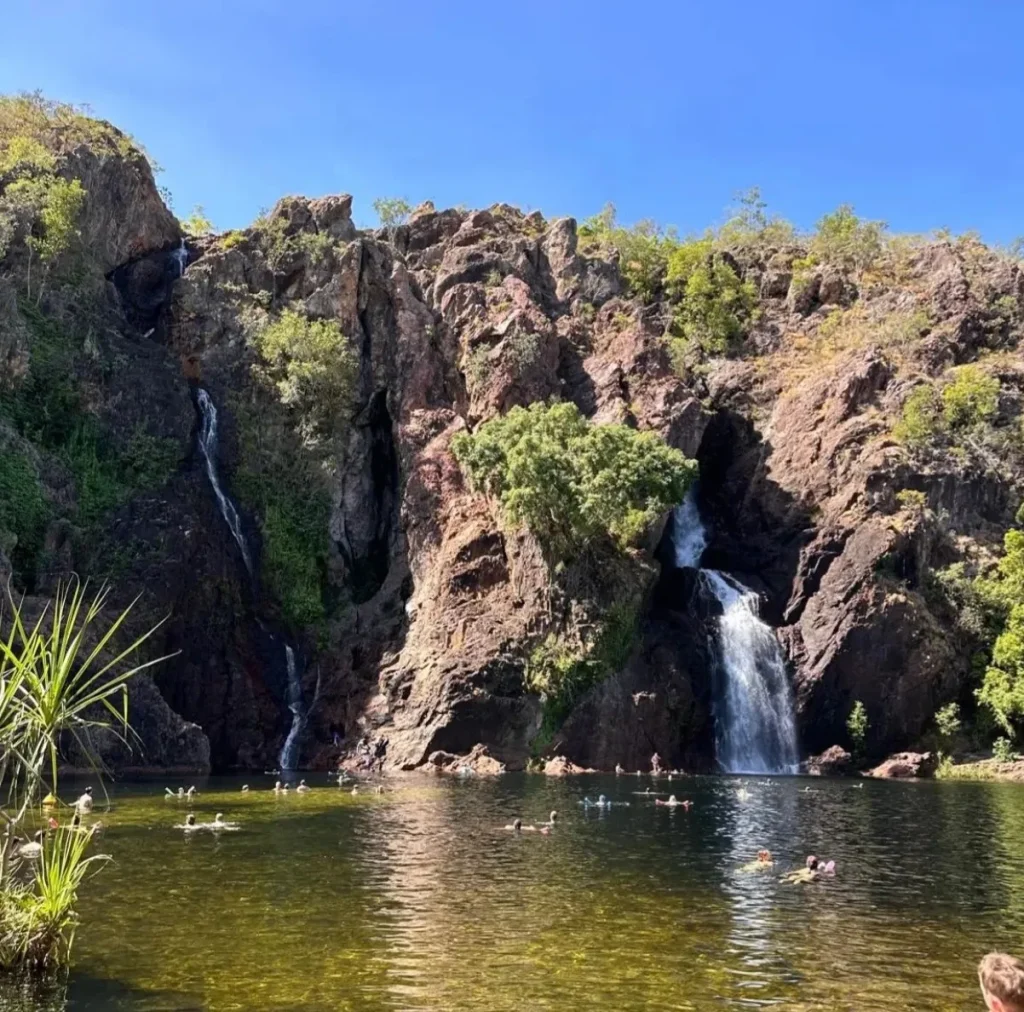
459,317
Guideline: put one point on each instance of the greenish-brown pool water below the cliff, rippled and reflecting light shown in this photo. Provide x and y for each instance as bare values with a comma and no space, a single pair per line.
420,901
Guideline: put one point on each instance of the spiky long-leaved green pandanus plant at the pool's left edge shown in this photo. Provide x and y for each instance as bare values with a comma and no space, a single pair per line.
62,673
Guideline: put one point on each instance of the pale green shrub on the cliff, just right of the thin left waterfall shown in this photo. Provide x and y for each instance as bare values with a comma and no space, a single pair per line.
313,367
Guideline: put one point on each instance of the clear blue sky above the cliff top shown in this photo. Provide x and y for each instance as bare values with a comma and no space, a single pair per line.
909,110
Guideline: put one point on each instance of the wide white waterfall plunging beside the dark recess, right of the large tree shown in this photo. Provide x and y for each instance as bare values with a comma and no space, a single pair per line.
755,727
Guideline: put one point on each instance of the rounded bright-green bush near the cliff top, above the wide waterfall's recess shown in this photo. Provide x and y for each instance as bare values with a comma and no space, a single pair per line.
713,305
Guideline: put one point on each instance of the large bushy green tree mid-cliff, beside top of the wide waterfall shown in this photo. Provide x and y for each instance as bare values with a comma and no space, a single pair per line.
570,481
